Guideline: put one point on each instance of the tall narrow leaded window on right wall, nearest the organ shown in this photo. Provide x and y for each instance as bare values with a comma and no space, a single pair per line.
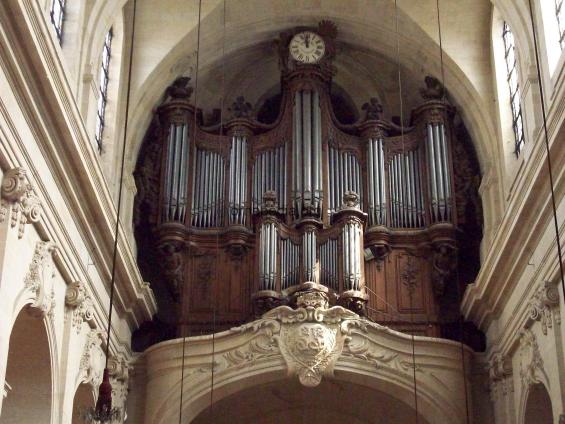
514,86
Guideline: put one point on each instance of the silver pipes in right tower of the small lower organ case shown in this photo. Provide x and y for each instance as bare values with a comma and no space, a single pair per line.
351,241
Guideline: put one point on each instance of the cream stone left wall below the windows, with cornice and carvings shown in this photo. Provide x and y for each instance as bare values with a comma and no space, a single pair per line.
56,236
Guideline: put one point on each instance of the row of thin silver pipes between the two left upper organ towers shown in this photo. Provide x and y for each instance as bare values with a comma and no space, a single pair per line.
208,189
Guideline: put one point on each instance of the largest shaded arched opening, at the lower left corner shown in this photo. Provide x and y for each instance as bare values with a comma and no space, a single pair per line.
29,372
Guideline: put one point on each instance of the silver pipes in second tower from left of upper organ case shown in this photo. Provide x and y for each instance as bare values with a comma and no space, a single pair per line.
237,194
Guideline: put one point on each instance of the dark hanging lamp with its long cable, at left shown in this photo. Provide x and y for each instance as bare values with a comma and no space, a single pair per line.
104,412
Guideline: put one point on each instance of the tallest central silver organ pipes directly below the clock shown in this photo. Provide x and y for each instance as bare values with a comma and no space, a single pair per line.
307,152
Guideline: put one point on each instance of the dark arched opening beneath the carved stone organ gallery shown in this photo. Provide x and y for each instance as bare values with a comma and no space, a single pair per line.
332,402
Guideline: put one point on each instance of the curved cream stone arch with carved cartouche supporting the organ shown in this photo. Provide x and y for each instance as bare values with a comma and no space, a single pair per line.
271,350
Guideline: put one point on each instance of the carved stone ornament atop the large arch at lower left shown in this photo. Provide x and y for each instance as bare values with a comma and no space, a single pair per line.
38,280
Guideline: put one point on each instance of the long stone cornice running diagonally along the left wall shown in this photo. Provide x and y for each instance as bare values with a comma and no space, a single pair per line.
40,85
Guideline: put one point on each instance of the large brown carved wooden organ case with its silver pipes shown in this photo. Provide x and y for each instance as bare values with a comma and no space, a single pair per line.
233,220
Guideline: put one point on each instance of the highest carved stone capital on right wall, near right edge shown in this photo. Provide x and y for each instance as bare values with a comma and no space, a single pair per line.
544,307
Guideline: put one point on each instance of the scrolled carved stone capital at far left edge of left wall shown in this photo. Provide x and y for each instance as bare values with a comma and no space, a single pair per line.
18,196
